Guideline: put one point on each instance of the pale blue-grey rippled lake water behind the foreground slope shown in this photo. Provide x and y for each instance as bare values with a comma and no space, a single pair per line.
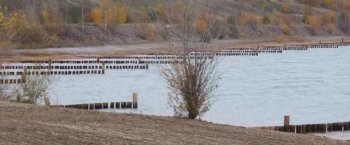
311,86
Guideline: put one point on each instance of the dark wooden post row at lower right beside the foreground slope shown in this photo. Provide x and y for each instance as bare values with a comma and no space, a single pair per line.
309,128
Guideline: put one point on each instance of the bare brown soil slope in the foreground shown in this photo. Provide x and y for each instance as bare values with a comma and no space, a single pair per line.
27,124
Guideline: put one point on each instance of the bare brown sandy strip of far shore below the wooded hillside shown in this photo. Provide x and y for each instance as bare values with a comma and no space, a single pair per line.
150,48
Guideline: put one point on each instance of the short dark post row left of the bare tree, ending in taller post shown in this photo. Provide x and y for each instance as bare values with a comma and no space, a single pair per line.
106,105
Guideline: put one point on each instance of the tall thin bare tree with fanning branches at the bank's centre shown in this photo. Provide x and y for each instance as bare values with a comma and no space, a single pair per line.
192,77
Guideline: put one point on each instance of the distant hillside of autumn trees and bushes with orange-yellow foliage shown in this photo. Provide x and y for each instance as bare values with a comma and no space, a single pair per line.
27,24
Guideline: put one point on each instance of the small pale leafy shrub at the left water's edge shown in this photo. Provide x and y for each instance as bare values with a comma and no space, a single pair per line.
34,88
